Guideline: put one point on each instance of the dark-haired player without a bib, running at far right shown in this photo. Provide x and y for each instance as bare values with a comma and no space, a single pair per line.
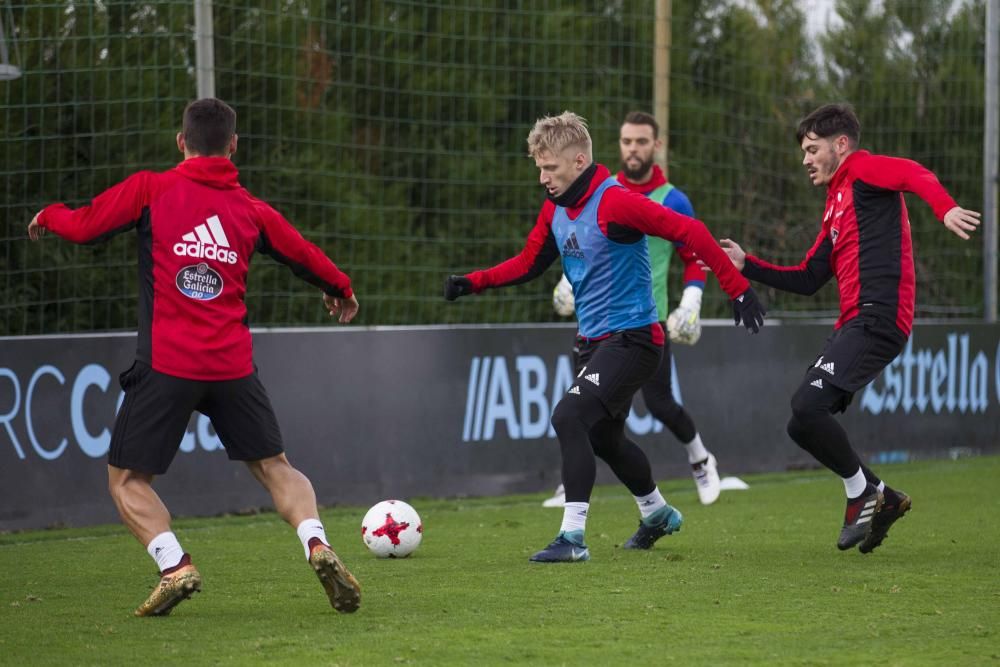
864,241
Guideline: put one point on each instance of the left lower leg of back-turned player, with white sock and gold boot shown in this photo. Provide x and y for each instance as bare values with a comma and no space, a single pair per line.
145,515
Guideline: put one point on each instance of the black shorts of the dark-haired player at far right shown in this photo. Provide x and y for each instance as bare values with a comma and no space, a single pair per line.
857,352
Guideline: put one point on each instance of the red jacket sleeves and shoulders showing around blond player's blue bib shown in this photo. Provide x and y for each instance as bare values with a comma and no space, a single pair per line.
622,216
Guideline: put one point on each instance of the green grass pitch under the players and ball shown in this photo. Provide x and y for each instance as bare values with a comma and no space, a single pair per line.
754,579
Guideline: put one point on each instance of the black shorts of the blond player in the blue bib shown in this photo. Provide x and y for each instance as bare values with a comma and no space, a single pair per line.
614,368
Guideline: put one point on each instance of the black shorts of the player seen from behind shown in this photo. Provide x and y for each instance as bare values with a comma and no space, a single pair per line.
157,408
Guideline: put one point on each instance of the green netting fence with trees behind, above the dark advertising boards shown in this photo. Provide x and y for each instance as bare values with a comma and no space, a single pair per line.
392,133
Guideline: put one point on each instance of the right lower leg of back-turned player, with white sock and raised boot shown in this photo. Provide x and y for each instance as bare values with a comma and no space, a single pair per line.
295,500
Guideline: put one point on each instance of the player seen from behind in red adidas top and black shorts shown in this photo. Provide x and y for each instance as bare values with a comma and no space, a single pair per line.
197,228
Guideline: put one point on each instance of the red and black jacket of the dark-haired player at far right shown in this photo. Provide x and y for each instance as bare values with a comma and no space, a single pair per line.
864,240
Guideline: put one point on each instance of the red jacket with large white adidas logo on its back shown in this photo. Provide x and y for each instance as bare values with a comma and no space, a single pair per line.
197,228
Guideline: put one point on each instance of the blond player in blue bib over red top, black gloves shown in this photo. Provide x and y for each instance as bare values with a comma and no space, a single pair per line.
600,228
